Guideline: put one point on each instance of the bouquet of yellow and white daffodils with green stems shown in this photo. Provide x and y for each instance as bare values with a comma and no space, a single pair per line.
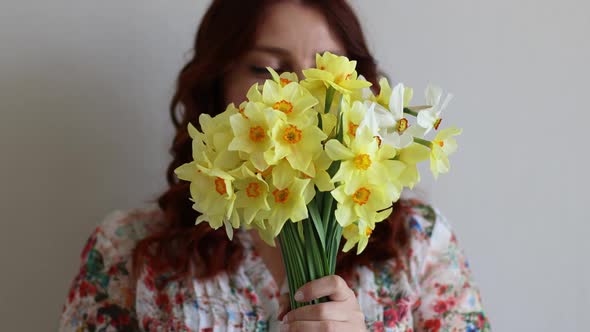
312,161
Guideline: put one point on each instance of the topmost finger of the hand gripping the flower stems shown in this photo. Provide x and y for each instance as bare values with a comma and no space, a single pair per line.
332,286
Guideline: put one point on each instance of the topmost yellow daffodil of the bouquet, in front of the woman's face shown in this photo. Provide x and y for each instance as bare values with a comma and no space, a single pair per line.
337,72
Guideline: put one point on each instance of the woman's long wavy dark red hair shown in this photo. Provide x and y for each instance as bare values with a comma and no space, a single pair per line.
180,244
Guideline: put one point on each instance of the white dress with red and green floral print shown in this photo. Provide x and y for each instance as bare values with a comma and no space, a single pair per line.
434,292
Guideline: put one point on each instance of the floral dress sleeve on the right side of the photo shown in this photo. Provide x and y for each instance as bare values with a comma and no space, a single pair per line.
449,300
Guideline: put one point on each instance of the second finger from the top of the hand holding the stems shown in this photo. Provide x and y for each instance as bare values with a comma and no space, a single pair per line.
336,311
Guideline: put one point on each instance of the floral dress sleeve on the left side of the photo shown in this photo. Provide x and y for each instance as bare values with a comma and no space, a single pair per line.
101,297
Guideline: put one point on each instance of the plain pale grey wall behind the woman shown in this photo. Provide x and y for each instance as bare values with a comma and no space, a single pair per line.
84,130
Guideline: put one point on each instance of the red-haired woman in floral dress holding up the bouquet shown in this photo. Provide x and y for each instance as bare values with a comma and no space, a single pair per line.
153,270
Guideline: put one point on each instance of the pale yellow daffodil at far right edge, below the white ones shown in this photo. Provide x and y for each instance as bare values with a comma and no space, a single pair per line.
443,145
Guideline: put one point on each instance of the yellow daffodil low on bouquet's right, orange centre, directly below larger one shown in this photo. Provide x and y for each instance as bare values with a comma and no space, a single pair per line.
368,202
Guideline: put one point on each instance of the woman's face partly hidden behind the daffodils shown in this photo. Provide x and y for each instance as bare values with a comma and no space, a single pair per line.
288,38
